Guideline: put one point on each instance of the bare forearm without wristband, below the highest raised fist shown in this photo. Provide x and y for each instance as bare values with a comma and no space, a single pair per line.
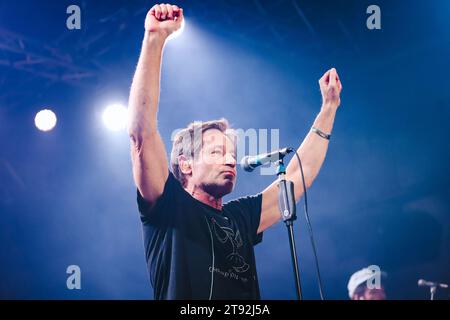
145,89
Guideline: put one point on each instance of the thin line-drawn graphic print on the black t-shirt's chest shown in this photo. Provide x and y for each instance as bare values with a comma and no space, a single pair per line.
228,236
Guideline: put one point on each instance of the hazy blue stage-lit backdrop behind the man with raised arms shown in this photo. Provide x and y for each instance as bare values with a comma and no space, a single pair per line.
382,197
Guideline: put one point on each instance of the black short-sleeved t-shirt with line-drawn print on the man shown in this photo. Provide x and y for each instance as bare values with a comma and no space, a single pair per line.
185,240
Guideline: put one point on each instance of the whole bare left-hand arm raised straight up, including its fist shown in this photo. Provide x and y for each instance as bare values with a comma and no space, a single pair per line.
148,154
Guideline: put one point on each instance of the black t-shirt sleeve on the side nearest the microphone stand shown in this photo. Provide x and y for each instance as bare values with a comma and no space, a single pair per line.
247,211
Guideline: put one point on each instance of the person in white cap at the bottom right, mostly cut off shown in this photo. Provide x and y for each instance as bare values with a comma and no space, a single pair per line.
365,284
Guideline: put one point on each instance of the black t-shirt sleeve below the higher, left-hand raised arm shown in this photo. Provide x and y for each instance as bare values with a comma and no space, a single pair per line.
163,207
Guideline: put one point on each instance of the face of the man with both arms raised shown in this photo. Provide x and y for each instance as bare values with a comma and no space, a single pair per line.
214,169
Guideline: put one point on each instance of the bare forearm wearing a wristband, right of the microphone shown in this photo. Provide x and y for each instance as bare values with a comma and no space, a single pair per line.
312,152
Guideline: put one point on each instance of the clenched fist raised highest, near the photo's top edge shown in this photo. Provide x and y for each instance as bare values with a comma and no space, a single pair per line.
164,19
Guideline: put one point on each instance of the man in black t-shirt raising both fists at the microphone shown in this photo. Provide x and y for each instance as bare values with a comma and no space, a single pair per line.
197,247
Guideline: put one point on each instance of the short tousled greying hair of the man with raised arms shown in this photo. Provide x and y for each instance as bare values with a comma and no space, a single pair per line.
188,142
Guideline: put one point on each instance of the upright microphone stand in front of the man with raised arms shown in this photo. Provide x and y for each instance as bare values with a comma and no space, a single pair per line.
286,203
